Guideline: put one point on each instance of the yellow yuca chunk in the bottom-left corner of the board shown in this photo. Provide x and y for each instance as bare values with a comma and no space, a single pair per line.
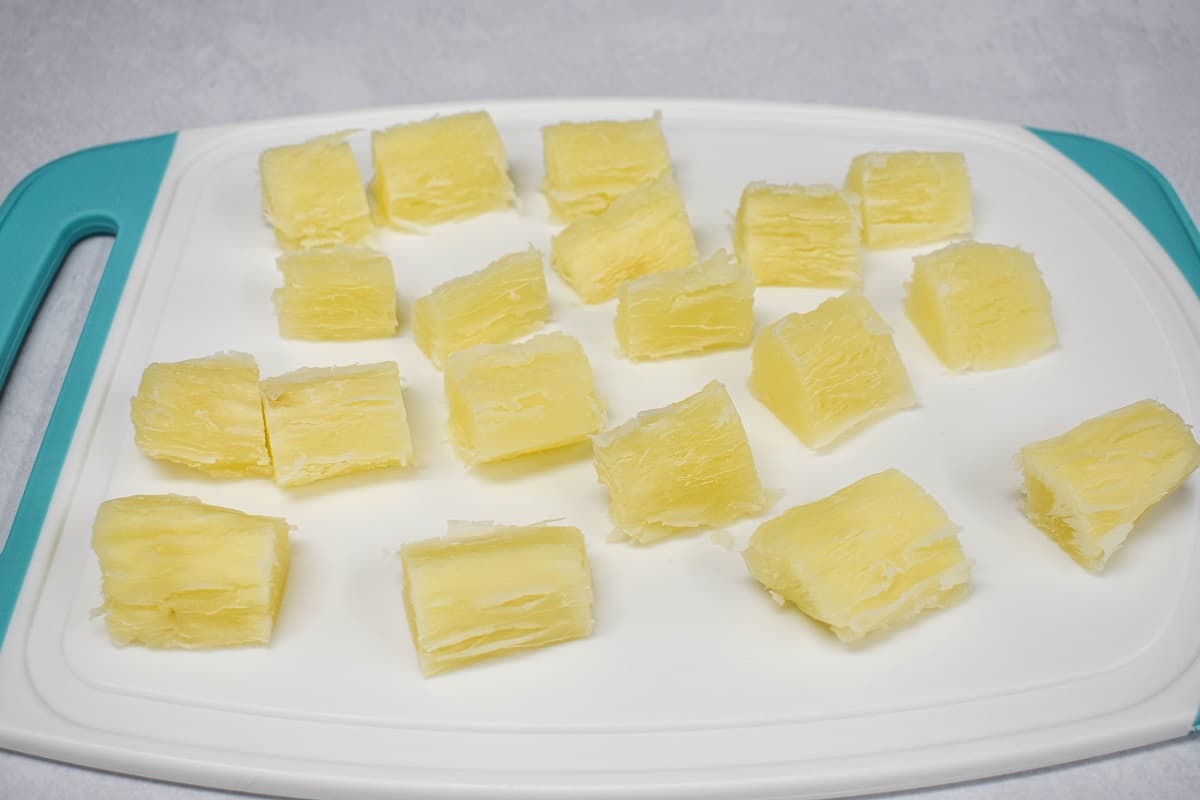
179,574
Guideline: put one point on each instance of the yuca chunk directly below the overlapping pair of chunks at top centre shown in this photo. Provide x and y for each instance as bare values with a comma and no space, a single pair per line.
700,308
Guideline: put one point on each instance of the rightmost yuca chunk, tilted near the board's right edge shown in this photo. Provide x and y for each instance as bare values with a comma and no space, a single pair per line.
1088,488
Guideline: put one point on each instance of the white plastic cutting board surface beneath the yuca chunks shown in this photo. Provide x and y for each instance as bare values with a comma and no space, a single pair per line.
694,682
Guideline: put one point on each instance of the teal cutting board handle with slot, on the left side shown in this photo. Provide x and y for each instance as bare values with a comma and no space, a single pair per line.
103,191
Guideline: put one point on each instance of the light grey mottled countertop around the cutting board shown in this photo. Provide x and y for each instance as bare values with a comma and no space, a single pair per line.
76,74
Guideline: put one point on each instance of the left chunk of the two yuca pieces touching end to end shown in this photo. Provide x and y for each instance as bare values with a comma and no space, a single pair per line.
206,414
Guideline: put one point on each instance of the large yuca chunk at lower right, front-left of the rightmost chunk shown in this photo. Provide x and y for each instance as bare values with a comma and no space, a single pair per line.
869,557
